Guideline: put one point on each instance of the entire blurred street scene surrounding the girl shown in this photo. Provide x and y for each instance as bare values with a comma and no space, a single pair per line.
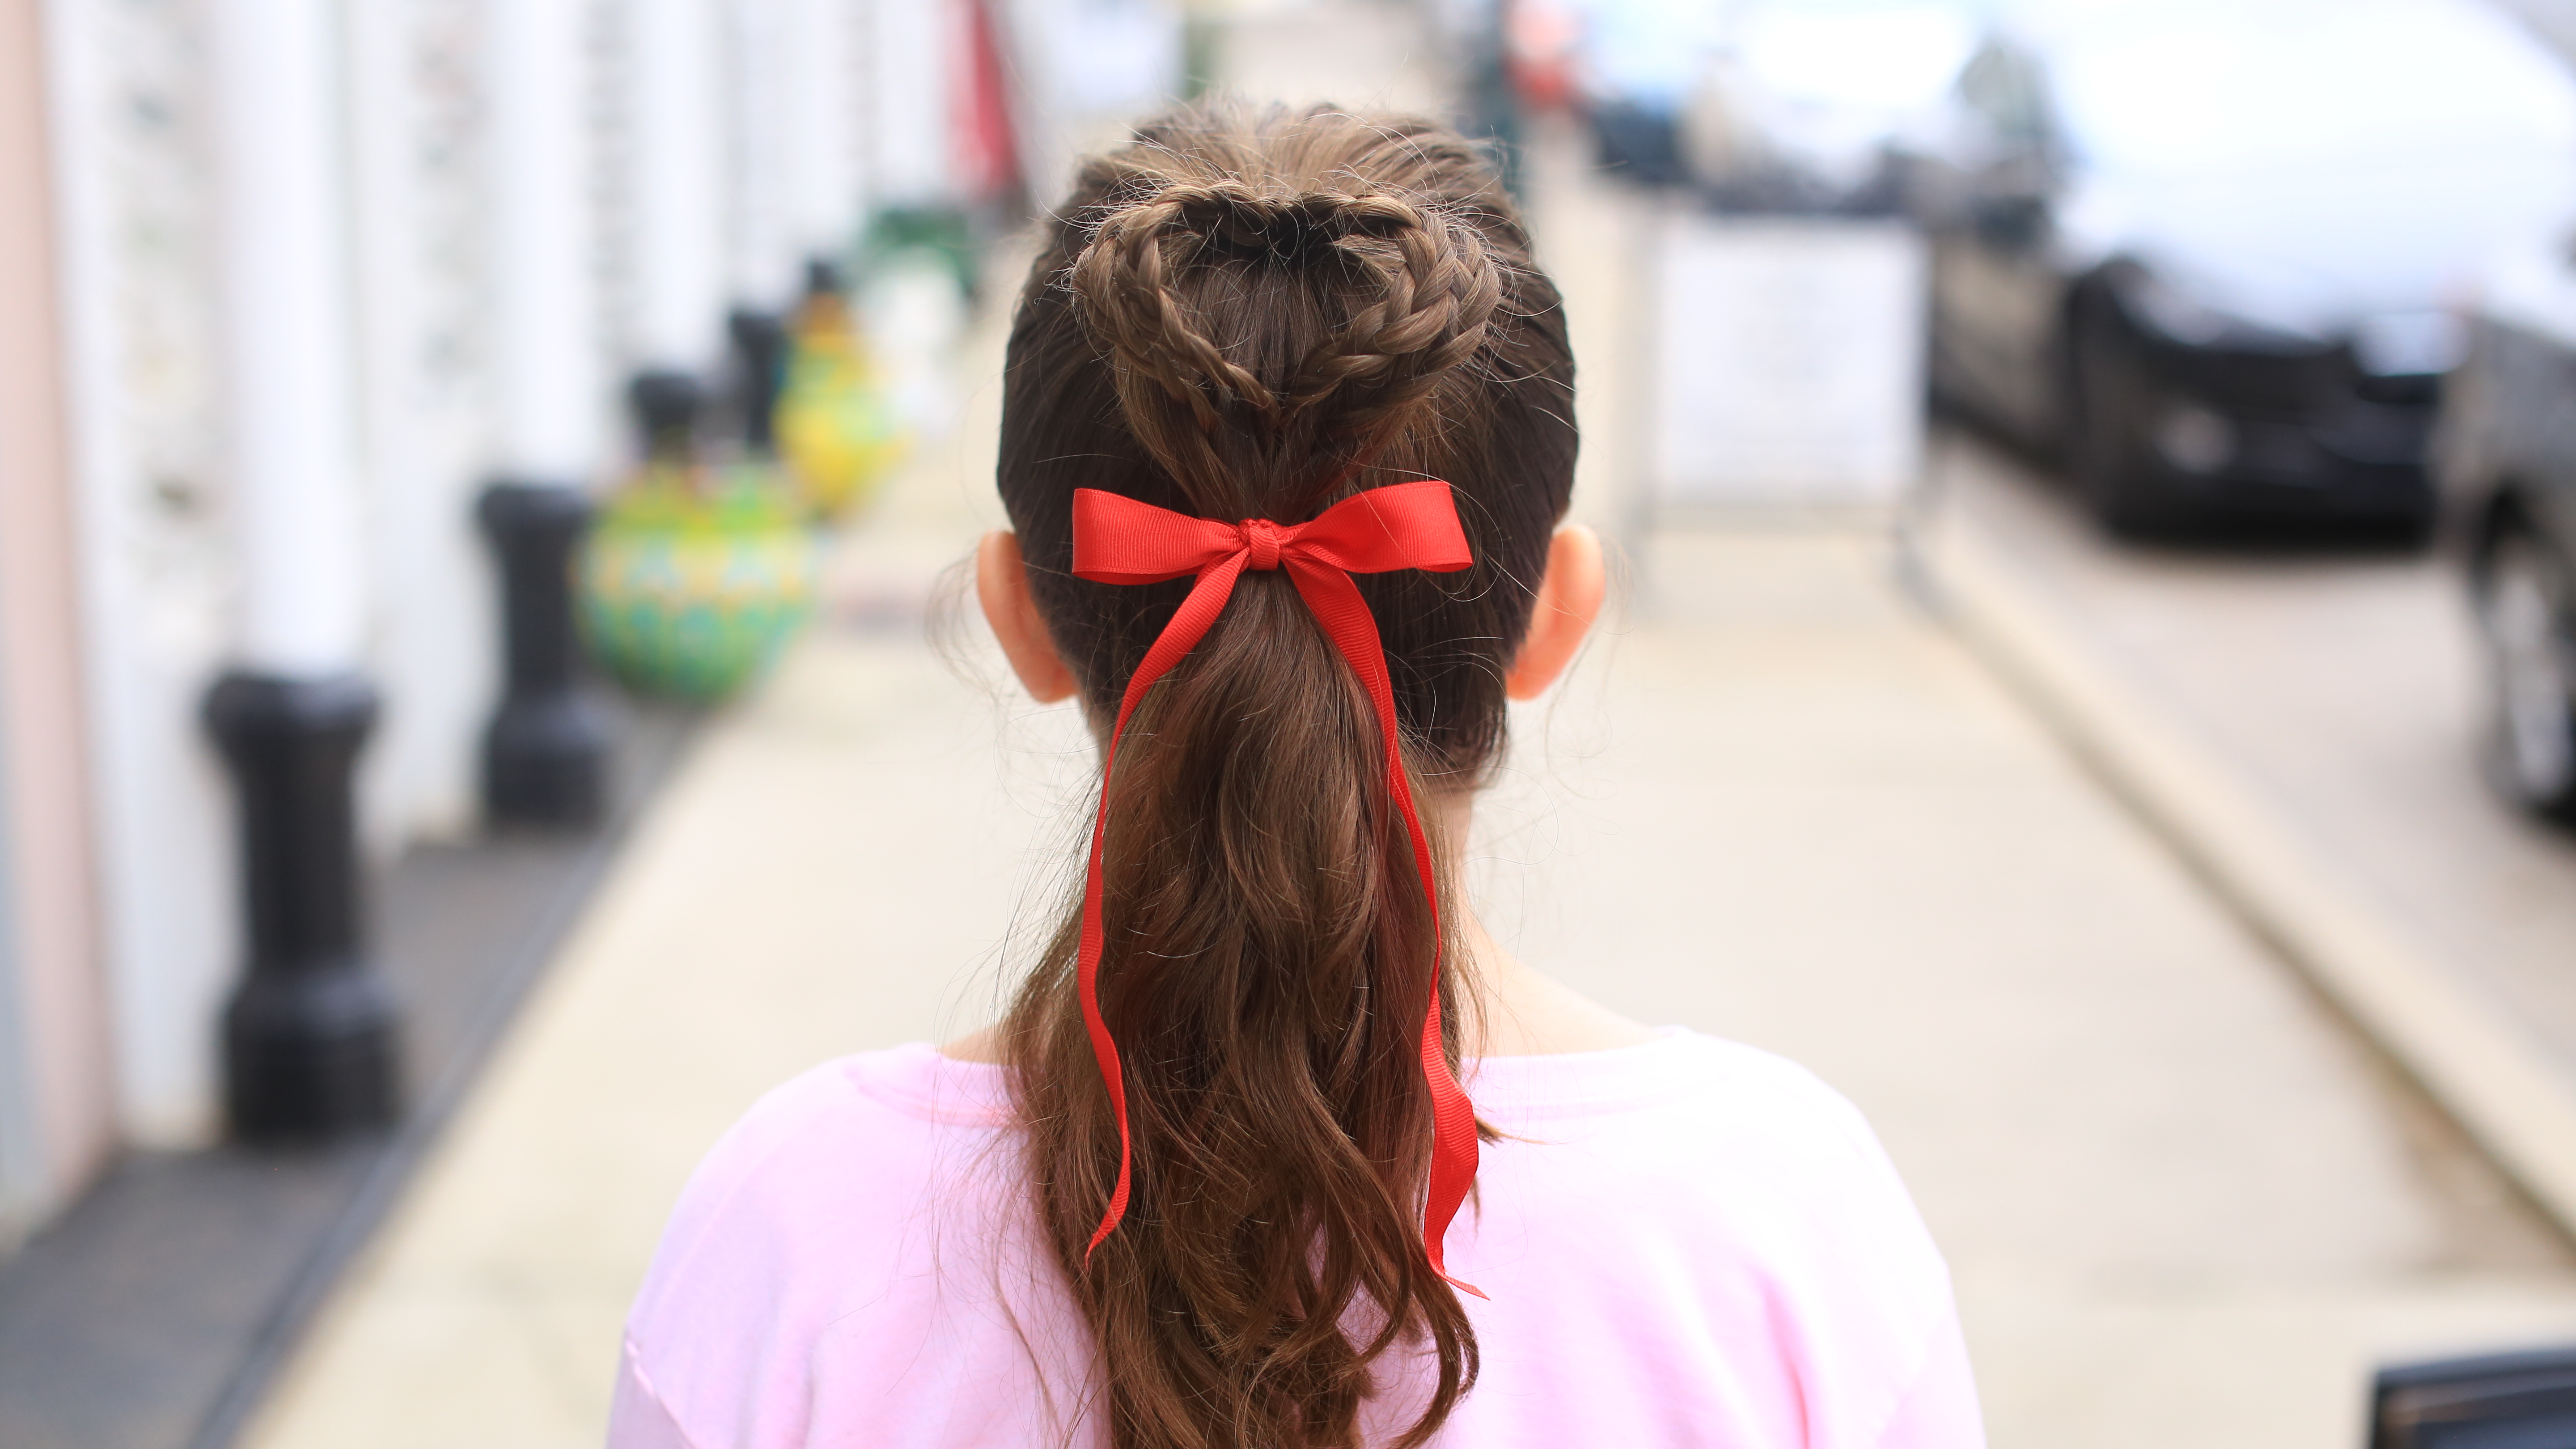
480,687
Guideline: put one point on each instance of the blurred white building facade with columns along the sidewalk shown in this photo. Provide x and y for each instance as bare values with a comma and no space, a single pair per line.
282,287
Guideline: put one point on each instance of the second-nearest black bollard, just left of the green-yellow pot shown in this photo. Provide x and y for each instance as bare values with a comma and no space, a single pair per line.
547,746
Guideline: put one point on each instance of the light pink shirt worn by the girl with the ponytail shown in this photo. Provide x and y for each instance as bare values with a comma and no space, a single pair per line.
1686,1244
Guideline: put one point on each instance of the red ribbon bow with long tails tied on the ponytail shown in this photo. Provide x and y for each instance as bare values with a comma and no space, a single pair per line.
1405,527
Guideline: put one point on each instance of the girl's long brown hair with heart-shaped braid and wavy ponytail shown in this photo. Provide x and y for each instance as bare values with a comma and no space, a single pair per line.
1253,318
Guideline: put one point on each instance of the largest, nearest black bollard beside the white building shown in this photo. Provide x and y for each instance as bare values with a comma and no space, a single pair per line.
310,1033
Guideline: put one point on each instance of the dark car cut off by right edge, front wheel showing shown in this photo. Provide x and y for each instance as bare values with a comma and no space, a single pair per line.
2508,465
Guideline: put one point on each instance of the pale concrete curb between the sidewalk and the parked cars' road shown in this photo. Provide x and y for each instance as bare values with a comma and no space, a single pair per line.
2487,1076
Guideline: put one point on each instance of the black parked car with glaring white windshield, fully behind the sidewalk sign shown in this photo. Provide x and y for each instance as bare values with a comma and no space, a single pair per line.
2201,251
